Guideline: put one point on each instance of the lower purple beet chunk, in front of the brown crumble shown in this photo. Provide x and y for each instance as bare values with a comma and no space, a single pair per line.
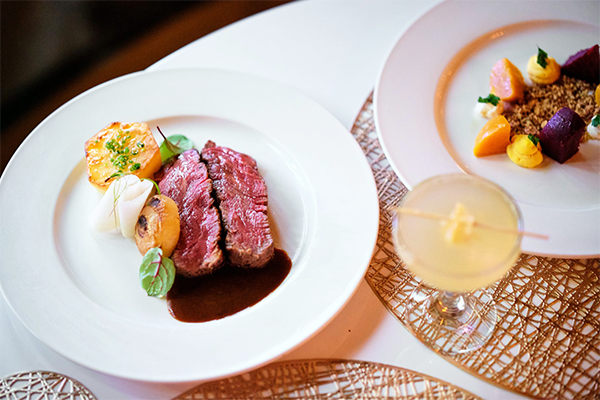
562,134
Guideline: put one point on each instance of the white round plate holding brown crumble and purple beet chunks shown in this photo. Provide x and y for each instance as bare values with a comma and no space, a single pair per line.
428,88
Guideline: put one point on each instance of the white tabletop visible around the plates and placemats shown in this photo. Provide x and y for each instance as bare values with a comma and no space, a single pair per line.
331,51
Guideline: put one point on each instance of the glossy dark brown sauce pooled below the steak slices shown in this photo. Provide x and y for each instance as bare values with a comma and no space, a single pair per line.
226,291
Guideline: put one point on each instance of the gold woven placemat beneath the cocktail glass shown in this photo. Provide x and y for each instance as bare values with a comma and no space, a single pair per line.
547,343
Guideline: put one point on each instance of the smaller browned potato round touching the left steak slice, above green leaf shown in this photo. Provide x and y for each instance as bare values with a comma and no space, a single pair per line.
158,225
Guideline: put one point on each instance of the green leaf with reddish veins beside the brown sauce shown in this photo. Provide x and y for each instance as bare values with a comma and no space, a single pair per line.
157,273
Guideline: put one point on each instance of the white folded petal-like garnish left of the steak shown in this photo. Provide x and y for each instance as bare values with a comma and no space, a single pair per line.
121,205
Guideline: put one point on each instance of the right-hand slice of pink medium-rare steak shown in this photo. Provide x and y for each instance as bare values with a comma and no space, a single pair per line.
242,197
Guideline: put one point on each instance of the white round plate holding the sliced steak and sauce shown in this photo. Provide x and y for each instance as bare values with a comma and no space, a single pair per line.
78,291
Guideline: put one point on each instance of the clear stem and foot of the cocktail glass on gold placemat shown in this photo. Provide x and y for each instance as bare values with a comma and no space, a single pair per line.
451,323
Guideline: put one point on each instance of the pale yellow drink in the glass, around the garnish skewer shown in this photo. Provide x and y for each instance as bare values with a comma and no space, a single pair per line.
483,258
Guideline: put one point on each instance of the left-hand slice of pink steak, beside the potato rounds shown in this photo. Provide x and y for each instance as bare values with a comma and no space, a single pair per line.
186,181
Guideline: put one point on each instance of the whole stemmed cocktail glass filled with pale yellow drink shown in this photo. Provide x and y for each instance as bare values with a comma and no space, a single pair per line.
458,233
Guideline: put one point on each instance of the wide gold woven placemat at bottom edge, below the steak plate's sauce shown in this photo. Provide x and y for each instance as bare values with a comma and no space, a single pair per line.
328,379
